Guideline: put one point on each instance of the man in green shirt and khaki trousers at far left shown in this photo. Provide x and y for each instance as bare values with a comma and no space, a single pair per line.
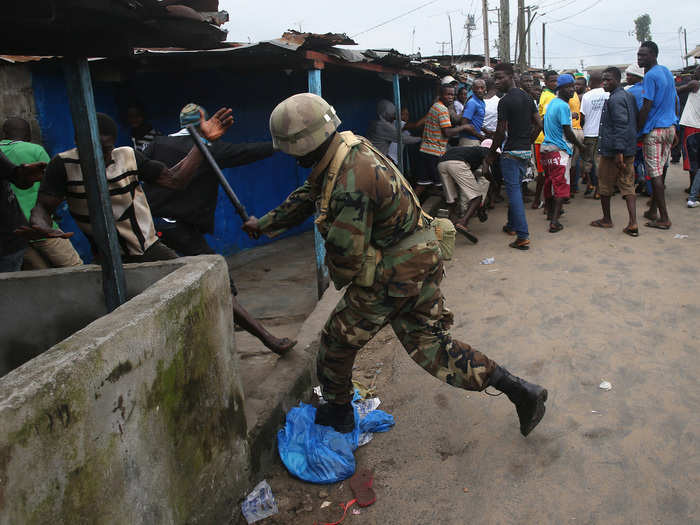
17,146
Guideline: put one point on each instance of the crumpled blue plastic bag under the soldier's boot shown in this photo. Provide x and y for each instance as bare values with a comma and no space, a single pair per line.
319,454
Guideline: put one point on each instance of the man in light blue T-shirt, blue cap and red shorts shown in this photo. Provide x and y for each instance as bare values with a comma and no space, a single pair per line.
556,151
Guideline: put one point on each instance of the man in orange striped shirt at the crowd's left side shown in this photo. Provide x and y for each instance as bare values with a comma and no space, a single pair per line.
438,129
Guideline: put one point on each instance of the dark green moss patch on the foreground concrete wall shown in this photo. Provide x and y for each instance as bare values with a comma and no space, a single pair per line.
187,393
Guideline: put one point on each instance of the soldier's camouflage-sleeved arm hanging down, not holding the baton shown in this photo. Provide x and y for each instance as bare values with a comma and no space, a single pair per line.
349,235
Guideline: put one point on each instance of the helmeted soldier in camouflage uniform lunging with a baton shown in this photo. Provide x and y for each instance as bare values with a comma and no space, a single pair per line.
372,208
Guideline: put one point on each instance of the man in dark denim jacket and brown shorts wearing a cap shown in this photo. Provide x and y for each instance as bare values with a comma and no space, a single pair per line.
617,145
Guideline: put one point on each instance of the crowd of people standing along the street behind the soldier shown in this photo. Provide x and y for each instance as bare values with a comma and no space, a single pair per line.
608,135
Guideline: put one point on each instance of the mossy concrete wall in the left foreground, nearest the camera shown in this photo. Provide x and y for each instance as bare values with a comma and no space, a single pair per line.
138,418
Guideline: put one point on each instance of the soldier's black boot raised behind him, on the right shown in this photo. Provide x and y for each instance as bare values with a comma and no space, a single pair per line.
528,398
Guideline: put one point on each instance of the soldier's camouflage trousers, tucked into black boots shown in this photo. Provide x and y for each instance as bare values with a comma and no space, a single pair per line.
422,325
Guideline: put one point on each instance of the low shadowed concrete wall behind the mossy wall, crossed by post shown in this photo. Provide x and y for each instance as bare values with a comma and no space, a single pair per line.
61,302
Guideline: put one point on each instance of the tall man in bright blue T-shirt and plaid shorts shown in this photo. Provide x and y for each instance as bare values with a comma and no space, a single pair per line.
657,120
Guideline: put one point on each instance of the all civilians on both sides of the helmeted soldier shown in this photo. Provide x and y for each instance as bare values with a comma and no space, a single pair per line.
502,132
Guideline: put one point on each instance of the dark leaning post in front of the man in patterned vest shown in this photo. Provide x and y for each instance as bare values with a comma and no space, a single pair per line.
87,137
